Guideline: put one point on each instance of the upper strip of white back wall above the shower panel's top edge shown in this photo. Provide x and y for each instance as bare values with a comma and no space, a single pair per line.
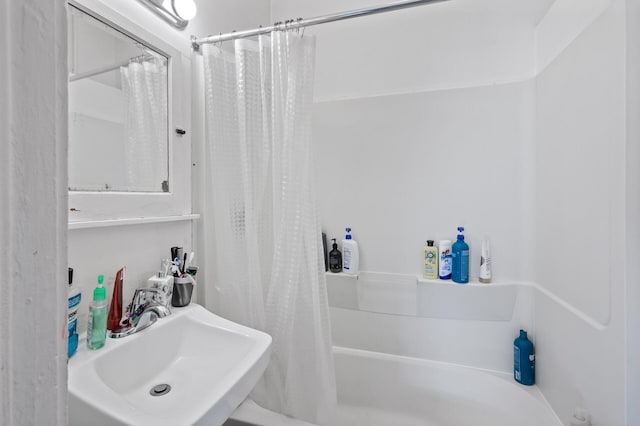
463,43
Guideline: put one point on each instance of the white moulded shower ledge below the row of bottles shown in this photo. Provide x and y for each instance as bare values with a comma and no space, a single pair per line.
408,295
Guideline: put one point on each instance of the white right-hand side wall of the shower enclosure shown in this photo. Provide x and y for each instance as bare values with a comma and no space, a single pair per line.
580,191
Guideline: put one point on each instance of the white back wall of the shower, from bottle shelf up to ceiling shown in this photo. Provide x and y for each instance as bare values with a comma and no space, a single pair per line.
422,123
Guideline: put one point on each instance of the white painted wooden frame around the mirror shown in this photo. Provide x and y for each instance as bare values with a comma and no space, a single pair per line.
87,206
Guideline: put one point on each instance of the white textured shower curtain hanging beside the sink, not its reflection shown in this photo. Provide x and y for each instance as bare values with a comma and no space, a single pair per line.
260,206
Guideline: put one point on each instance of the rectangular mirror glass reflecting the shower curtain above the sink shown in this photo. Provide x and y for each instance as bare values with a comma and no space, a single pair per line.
118,115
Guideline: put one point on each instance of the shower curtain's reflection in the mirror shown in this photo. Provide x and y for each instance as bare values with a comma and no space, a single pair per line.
145,156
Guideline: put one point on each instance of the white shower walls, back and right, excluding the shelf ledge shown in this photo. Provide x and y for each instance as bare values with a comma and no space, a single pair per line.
504,117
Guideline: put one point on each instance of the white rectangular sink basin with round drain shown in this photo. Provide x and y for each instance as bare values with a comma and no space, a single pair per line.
209,364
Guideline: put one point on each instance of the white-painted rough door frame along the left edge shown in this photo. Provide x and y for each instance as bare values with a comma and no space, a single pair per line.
33,213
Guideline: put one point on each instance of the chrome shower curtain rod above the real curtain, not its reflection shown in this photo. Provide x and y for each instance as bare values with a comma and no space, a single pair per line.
299,23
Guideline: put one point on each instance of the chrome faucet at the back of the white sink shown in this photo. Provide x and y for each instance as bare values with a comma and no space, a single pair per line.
144,310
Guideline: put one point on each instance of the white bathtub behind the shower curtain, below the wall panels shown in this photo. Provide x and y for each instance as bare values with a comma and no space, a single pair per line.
376,389
